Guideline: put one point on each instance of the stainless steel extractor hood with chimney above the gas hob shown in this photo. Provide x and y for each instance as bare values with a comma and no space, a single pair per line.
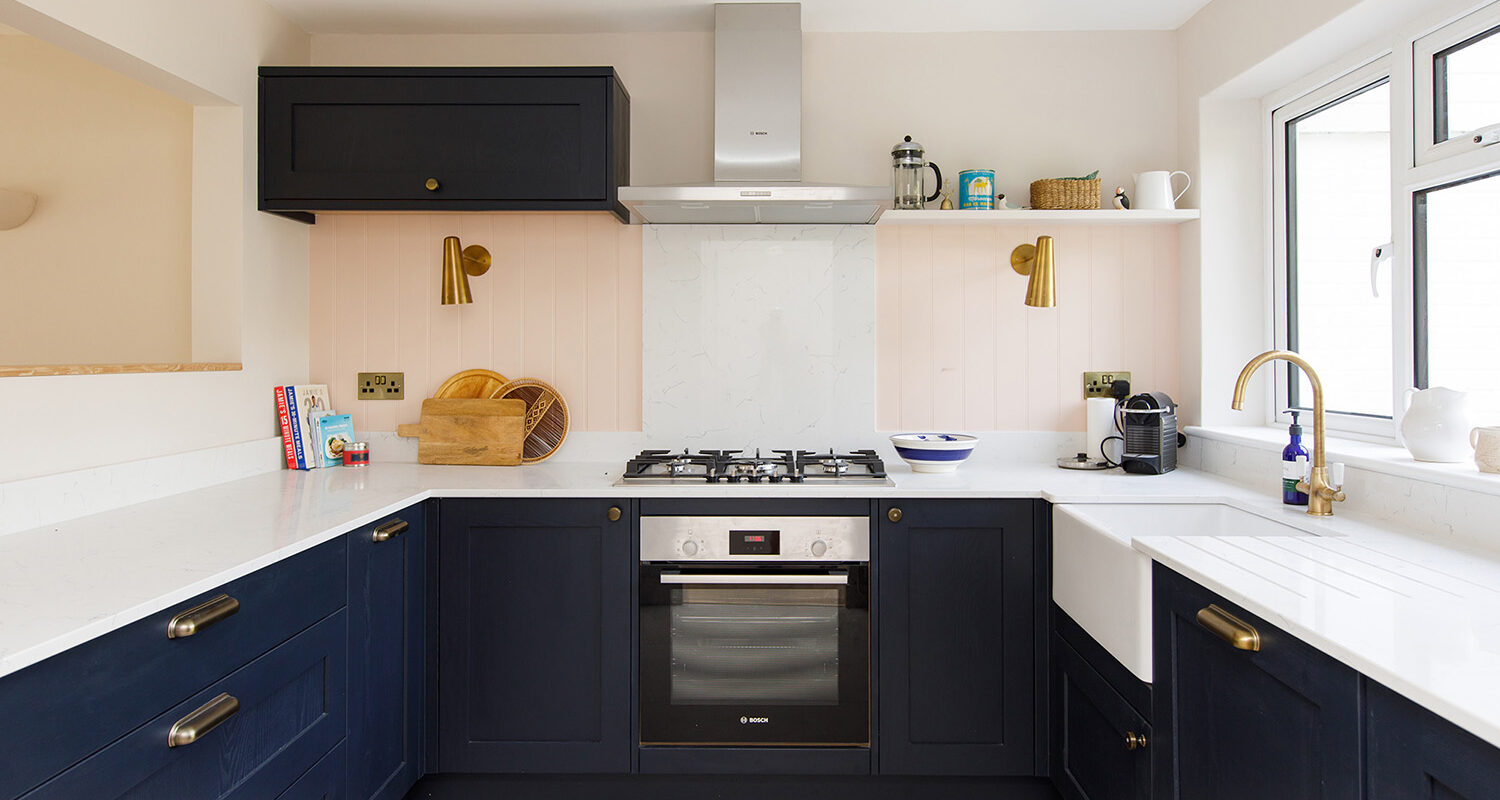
758,136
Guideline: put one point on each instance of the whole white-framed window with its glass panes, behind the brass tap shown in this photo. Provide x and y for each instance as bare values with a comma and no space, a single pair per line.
1387,227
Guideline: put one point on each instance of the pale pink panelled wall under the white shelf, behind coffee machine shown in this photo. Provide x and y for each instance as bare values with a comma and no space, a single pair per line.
958,350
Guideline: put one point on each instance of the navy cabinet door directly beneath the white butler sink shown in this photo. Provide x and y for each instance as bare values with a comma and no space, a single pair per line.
1100,726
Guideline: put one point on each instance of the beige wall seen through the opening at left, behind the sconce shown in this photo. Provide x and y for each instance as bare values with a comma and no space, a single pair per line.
101,272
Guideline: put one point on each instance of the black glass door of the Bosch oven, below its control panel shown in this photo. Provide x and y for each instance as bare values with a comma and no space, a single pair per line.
766,655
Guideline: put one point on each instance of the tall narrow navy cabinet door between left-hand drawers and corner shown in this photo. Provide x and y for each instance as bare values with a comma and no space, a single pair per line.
388,651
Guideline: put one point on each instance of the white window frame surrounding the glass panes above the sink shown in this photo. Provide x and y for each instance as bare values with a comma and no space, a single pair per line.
1417,166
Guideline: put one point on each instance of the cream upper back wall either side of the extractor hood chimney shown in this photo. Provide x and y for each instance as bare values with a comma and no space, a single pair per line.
1027,104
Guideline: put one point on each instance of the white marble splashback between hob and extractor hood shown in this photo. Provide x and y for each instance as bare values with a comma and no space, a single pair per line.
758,335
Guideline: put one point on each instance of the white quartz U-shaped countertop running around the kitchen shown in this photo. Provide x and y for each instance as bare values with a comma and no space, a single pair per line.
1412,613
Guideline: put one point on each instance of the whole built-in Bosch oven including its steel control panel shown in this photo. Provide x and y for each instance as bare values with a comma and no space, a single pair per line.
755,631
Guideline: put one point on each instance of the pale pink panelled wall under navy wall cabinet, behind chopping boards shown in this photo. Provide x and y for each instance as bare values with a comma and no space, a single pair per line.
562,304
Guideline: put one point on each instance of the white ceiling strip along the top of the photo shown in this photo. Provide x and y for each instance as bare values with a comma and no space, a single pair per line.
658,16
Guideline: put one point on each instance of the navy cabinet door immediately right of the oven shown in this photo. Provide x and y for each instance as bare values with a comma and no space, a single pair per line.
961,592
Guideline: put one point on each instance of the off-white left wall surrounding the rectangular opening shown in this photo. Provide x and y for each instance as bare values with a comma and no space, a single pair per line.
205,53
